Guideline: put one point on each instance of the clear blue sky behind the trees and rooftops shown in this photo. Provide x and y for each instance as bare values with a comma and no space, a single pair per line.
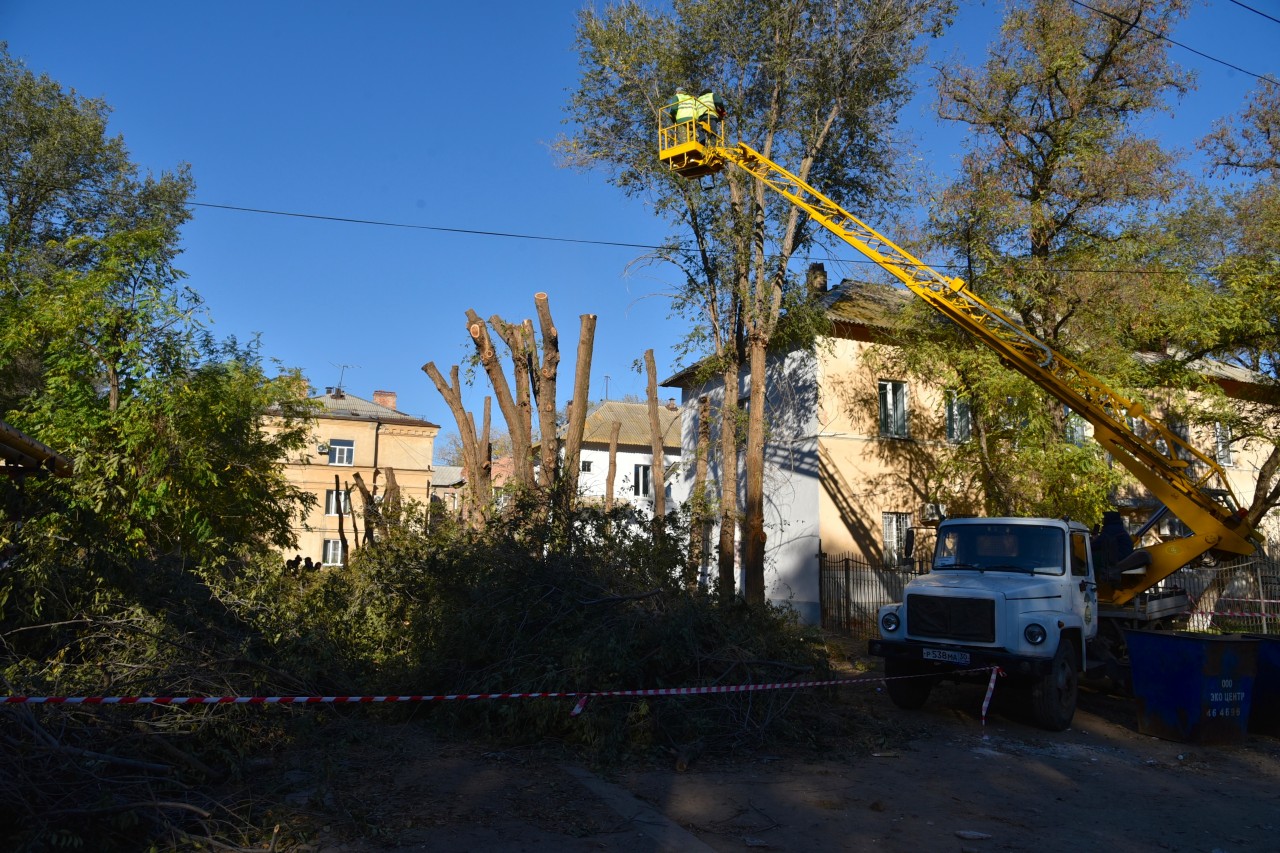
435,116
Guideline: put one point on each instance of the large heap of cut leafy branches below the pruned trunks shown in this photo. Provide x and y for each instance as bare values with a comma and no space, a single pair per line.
598,604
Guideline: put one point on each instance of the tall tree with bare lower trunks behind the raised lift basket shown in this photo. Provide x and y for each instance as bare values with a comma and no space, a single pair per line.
812,85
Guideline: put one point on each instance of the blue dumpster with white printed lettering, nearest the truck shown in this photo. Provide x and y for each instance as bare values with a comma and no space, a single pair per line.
1192,687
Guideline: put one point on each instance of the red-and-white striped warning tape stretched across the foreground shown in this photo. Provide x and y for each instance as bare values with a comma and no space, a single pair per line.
583,697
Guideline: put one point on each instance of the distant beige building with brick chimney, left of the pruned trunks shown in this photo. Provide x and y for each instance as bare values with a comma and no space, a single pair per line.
356,440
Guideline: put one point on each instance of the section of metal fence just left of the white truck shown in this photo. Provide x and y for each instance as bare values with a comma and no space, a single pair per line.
854,590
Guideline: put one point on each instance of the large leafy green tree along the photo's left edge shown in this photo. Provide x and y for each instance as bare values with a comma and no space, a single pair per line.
163,421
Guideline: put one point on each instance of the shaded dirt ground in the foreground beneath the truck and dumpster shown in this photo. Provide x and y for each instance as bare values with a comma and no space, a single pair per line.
884,779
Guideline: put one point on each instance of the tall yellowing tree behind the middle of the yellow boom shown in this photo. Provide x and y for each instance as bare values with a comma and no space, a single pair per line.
1055,180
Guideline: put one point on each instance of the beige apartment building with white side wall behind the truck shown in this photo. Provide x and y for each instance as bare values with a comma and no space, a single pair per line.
858,453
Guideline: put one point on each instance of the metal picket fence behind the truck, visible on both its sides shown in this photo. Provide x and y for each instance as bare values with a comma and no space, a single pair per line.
1242,596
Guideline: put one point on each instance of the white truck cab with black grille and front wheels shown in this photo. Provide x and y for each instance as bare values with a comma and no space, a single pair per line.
1016,594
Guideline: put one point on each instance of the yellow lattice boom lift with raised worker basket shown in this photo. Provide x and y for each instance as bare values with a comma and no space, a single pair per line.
1191,485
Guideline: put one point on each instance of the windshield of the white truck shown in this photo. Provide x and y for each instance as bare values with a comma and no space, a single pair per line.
1002,548
